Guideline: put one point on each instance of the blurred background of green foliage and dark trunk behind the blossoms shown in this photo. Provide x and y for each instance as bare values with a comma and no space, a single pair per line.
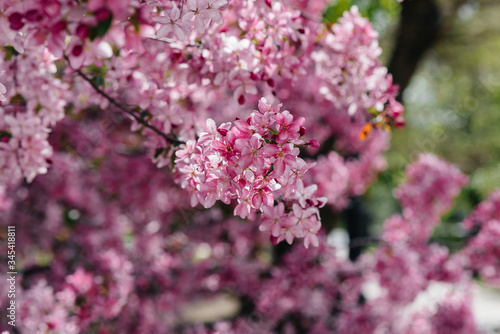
444,54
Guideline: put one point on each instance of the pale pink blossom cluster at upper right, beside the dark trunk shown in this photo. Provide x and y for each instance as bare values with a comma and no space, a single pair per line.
353,76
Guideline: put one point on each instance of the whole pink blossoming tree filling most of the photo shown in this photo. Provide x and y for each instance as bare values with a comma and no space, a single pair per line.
153,153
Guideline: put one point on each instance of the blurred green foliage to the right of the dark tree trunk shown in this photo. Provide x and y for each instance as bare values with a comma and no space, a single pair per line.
452,108
